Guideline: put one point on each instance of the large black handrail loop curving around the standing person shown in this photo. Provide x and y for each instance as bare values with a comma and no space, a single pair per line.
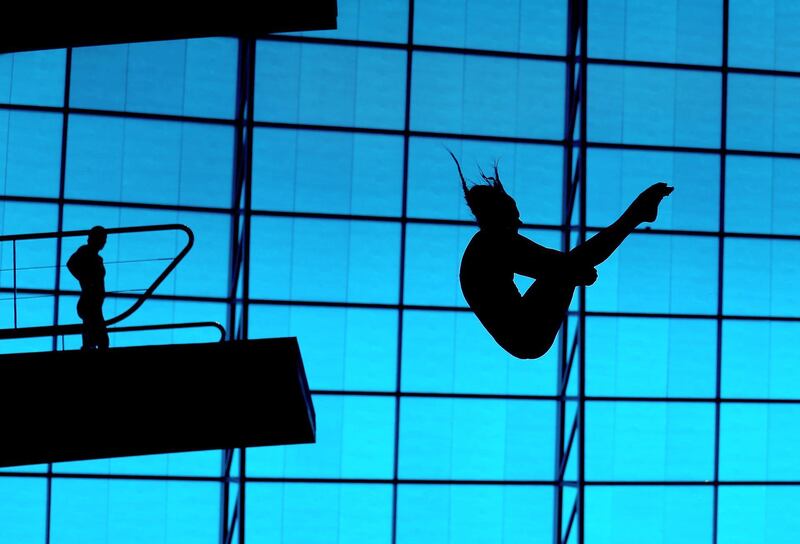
57,330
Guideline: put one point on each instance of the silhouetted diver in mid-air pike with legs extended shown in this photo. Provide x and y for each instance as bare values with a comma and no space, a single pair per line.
526,325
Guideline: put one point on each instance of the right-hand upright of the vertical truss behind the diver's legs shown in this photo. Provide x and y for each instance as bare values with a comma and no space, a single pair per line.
583,97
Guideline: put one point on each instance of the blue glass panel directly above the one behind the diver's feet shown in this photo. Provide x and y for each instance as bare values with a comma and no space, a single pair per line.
654,106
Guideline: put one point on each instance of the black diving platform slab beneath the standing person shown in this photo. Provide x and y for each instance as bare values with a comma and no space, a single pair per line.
75,405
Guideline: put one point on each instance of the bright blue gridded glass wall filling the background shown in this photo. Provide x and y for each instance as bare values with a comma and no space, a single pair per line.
427,431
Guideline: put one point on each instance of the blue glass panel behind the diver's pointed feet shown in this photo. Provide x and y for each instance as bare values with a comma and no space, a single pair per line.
616,177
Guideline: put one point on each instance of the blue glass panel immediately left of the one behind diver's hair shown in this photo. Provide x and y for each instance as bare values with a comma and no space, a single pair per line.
330,172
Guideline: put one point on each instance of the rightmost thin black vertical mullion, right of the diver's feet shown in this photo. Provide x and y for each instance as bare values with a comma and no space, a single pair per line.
720,261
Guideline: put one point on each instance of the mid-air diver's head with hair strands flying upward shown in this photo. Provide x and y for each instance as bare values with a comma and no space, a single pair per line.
492,207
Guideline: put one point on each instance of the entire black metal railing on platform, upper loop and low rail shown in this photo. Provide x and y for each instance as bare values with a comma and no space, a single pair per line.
63,330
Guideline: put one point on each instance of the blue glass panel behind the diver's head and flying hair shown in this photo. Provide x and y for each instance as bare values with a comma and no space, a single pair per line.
532,174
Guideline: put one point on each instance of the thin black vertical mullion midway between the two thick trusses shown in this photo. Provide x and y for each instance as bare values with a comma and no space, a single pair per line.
401,275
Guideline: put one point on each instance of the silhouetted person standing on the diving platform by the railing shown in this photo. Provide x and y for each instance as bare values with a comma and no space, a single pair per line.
86,265
